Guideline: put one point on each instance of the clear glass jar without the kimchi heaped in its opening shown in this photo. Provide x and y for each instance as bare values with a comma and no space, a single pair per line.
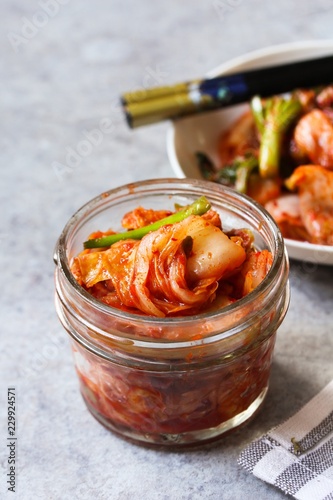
181,380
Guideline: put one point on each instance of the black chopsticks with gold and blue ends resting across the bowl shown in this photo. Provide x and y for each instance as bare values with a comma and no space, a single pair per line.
148,106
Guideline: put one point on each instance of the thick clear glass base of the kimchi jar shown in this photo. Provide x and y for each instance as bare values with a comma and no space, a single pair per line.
185,439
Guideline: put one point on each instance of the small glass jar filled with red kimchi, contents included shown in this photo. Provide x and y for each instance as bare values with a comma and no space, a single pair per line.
152,369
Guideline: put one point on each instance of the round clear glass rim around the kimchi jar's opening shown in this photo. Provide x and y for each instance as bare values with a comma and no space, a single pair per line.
61,259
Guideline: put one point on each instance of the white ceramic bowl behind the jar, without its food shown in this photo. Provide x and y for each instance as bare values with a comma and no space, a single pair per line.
188,135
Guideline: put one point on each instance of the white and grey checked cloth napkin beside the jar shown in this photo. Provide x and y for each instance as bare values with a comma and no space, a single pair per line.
297,456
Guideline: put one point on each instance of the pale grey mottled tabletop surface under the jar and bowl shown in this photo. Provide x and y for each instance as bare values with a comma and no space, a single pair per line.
64,64
